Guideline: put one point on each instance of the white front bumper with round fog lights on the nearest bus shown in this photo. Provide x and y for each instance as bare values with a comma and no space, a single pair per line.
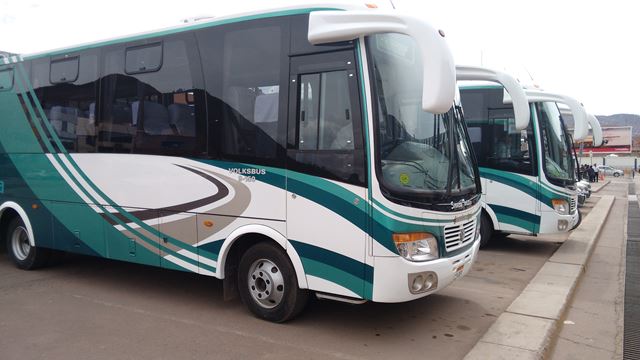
394,276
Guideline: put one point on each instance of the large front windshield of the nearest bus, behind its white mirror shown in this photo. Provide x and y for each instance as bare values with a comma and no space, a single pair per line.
421,157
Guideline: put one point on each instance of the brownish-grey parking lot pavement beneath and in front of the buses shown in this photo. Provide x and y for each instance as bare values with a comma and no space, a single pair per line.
99,309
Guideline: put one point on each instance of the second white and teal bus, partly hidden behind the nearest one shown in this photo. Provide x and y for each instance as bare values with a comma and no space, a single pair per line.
526,163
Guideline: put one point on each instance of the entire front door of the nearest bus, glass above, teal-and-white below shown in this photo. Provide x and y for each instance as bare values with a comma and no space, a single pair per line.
326,185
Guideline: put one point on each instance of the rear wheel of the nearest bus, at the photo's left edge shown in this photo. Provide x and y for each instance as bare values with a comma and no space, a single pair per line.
23,255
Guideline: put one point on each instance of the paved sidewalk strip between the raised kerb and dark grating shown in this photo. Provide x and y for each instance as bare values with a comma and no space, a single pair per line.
593,323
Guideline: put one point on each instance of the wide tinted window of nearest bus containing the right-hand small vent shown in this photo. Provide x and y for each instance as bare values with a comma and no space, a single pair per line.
159,112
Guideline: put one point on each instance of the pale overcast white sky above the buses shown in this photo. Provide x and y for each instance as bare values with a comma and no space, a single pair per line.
589,50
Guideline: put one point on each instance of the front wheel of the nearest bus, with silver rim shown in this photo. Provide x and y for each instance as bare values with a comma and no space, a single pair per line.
268,285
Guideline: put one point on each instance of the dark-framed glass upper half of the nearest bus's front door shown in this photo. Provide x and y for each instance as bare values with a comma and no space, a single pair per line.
325,123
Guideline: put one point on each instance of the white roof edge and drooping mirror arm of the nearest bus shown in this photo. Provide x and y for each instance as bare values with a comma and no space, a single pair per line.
332,22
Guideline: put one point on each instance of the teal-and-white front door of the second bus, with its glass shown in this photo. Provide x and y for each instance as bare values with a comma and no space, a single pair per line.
512,191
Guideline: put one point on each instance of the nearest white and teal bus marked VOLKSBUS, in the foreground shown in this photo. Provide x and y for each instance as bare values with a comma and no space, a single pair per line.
286,152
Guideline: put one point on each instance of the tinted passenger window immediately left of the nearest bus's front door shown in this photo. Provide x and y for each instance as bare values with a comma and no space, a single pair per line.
246,64
